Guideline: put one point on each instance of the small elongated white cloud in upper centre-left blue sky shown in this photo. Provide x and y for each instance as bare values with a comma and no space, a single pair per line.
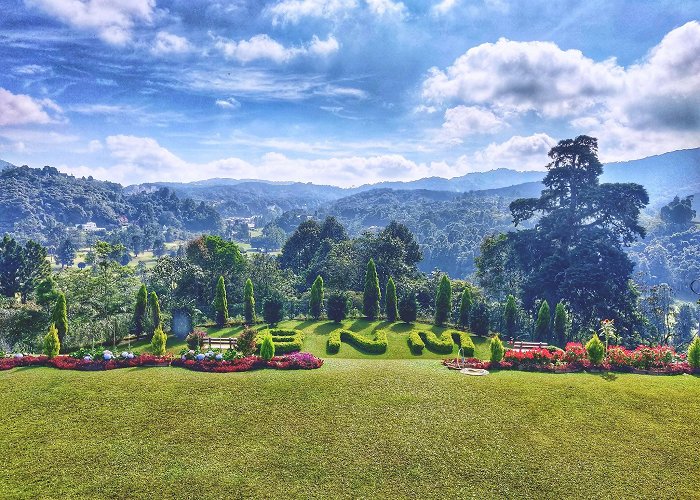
264,47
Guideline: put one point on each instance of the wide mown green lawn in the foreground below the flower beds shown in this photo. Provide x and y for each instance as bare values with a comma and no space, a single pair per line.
354,428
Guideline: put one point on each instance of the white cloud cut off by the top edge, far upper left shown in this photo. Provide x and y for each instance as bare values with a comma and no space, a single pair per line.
111,20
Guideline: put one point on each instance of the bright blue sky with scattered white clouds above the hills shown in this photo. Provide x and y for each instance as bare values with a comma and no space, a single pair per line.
342,92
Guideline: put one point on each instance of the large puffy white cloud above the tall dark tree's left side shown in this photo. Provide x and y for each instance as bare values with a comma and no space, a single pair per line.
525,76
